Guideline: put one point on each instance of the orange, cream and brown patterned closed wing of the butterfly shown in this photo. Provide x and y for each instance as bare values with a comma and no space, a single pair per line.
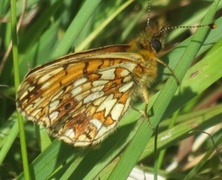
82,98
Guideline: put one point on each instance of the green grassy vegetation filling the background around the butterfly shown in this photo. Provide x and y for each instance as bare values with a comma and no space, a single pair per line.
50,29
